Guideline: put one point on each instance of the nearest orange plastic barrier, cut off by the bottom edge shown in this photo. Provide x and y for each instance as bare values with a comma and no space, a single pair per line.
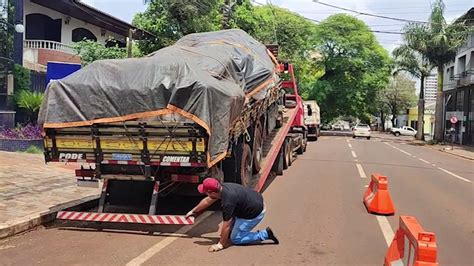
411,245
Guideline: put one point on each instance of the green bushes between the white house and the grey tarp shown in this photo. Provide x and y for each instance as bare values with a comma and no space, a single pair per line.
91,51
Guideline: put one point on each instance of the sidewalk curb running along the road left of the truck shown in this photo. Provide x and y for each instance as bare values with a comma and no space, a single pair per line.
28,222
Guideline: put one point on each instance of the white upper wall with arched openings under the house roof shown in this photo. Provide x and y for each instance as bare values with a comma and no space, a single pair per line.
66,30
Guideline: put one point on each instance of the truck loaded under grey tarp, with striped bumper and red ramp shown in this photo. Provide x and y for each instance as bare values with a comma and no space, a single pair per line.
214,104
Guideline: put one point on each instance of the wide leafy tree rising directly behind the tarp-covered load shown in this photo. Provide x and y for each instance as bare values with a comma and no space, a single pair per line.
268,24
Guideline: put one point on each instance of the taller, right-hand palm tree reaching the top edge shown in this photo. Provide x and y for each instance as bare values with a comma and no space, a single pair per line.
438,42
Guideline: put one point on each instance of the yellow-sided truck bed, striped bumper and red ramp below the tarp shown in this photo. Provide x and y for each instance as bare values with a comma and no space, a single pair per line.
150,160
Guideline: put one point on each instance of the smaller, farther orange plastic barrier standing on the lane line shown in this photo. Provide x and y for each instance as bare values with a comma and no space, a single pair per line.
377,198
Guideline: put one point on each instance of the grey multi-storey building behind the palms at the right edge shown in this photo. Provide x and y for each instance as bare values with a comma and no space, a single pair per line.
458,89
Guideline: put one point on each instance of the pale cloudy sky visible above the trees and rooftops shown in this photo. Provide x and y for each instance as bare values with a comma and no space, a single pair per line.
406,9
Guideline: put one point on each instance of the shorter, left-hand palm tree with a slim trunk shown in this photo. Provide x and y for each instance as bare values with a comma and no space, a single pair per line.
407,59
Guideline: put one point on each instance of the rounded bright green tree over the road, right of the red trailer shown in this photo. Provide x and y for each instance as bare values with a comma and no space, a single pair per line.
355,67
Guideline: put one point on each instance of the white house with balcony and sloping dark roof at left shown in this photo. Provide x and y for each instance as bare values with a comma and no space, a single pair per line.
51,29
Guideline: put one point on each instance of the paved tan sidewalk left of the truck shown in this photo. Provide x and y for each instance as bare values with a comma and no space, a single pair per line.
31,192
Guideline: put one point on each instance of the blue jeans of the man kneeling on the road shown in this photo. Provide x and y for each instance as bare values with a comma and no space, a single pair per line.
241,232
